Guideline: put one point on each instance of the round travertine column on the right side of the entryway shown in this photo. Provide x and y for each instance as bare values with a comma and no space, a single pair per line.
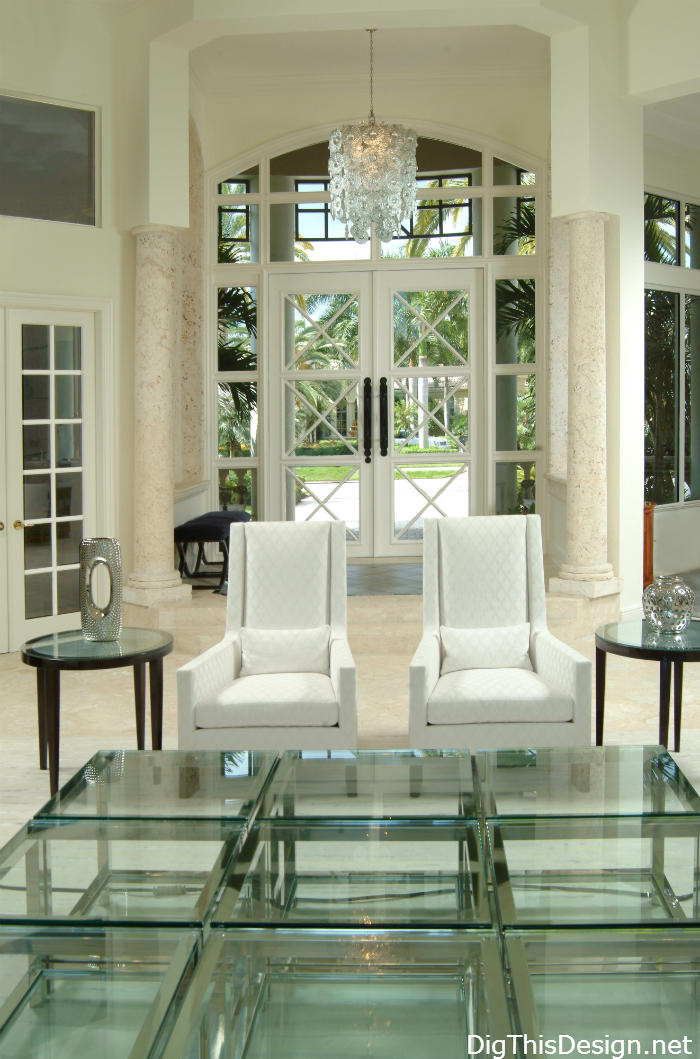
587,571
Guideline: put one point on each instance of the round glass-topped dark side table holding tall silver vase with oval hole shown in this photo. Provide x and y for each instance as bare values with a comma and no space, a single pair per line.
71,651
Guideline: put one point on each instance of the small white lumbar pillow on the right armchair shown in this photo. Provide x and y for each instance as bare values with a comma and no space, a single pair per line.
486,649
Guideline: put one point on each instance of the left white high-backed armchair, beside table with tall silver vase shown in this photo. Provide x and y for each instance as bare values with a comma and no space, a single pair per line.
290,578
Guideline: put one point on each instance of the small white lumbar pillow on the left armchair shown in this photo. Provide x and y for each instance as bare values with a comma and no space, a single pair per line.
285,651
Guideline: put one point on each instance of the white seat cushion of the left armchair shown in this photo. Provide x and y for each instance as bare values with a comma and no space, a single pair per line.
272,701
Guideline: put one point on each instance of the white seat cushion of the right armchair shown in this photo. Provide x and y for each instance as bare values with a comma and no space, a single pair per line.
490,696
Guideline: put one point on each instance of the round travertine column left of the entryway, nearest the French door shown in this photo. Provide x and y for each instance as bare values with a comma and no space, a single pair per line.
155,579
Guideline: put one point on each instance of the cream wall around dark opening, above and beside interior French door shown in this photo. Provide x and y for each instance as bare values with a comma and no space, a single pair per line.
69,52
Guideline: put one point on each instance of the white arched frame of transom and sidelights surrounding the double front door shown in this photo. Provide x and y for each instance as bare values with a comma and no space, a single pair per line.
495,267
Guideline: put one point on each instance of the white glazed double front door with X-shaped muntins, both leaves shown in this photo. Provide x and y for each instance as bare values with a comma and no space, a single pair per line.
372,397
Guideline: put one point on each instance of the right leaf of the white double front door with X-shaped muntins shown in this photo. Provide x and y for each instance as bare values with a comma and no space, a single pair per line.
427,329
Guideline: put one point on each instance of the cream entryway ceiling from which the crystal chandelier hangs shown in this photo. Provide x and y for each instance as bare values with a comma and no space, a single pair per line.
488,55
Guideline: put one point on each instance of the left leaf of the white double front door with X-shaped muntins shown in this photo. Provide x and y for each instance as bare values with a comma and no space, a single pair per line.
320,354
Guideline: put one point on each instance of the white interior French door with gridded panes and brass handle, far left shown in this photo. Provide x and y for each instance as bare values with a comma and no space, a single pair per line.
51,479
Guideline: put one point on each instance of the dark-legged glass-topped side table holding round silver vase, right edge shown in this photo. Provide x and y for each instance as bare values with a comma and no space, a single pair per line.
638,640
